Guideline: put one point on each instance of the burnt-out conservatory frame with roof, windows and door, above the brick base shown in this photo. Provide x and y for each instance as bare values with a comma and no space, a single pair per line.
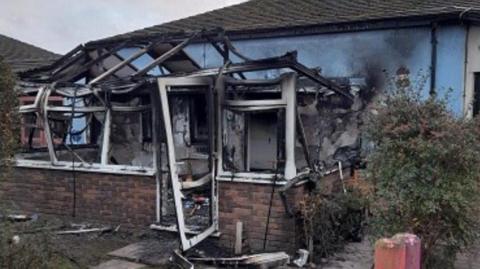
94,110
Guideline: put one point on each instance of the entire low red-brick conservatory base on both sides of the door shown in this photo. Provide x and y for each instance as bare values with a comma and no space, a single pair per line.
130,201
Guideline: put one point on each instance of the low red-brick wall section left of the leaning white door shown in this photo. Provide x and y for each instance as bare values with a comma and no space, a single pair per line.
123,199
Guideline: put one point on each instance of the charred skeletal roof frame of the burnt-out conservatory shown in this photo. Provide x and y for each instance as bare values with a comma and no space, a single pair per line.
107,70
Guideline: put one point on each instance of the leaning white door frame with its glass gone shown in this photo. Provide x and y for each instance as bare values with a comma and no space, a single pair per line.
200,85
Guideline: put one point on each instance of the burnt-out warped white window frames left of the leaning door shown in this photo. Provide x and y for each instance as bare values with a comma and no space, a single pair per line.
68,127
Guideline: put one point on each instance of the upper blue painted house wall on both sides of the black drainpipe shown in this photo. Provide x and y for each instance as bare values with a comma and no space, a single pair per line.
375,55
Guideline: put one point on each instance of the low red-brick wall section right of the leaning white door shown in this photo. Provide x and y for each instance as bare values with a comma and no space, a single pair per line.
249,203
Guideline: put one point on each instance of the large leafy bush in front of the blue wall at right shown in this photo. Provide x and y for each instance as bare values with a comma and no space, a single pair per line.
424,169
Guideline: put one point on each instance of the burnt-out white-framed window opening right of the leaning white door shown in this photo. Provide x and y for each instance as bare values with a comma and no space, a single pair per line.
258,118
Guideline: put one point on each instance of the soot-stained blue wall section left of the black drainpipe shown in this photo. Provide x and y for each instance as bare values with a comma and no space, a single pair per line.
373,55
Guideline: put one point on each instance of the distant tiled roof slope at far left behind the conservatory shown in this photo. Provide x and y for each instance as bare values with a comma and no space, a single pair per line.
22,56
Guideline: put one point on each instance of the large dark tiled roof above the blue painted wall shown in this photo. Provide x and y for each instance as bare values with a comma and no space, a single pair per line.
258,15
